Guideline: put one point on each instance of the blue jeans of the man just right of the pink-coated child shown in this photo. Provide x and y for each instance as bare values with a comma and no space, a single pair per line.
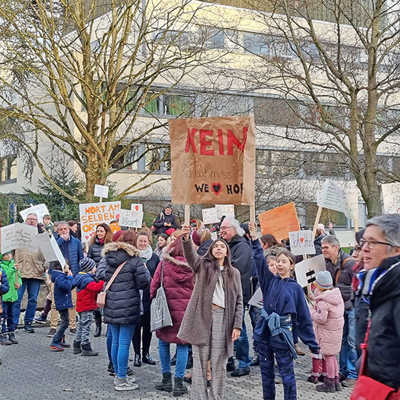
348,352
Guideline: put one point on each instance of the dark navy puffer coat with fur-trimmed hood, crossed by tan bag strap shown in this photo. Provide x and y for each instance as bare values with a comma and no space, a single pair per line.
123,298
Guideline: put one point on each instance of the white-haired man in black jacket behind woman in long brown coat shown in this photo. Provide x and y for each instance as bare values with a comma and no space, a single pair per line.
242,260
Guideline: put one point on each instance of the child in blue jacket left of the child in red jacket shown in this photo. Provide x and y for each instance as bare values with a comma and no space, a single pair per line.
63,283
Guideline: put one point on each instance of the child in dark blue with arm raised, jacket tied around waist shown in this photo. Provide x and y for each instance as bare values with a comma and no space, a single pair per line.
285,311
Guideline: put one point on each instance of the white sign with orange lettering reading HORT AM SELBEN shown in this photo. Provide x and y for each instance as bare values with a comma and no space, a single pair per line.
92,214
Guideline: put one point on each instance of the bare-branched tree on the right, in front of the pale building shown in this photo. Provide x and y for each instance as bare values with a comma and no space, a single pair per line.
339,80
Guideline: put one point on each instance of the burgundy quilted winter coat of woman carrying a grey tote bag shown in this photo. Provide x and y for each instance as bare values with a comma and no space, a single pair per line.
178,286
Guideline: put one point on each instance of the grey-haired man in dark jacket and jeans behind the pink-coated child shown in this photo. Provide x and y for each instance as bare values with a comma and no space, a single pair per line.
340,265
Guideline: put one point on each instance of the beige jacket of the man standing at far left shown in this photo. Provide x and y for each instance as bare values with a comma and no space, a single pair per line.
31,263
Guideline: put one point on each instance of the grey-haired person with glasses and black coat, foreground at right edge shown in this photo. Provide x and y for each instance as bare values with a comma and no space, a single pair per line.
380,250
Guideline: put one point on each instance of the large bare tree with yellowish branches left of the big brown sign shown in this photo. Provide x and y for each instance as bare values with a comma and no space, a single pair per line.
81,82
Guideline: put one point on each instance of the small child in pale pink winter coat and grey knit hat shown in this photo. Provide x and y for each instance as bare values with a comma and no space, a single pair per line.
328,319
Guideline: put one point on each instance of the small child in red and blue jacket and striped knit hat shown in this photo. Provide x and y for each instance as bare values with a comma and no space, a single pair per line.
87,289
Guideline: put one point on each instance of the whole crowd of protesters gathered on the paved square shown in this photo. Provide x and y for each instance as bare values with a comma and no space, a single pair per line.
193,284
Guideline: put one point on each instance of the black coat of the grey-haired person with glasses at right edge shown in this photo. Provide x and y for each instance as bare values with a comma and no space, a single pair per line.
384,336
